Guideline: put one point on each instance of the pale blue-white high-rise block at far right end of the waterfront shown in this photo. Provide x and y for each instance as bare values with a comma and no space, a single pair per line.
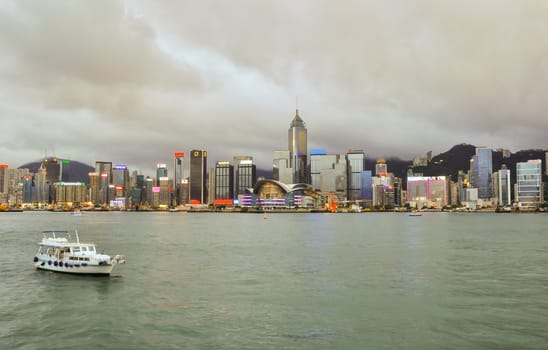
529,184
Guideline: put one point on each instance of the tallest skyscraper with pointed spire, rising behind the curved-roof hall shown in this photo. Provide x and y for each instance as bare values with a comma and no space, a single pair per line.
298,149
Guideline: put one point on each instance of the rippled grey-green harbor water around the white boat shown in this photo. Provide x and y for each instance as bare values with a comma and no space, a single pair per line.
288,281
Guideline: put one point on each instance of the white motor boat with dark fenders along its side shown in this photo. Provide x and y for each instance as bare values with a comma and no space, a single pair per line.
60,253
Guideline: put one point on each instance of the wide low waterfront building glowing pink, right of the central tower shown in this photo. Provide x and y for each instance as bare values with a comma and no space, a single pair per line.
429,191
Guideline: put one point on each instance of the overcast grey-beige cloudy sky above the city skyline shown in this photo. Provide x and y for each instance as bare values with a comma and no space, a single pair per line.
132,81
